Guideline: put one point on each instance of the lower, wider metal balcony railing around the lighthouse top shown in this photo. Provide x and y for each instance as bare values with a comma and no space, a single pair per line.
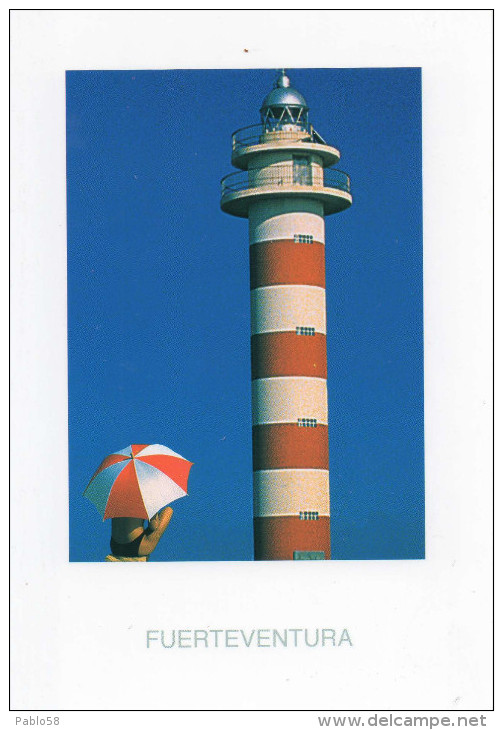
285,175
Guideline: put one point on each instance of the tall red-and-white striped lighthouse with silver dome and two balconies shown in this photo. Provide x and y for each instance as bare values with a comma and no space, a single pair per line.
285,187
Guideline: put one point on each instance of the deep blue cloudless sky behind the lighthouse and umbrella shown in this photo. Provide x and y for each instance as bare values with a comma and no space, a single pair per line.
158,301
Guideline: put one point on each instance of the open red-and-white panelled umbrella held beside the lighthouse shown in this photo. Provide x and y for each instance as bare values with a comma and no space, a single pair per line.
138,481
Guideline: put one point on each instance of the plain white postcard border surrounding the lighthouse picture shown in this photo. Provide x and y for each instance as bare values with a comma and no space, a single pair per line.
421,629
